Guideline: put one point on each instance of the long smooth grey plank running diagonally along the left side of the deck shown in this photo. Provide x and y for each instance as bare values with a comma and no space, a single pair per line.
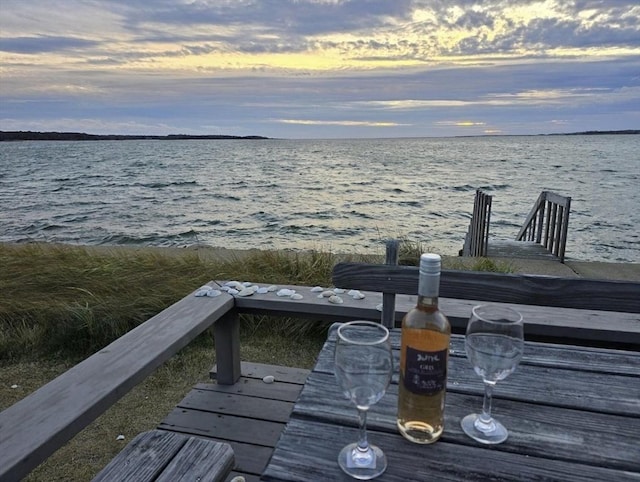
36,426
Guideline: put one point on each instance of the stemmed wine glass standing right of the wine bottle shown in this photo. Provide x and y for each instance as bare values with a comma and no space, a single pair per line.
494,344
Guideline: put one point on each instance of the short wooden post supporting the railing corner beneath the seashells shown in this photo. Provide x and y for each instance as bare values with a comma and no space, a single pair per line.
227,338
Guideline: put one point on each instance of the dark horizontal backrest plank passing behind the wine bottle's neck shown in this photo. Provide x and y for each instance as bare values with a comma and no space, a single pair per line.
580,293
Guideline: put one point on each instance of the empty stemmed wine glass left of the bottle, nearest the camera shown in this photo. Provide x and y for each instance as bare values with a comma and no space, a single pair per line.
363,368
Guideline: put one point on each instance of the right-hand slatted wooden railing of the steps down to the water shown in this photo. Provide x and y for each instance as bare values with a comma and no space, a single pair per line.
547,223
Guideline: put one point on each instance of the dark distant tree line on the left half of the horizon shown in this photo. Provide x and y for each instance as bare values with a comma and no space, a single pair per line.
80,136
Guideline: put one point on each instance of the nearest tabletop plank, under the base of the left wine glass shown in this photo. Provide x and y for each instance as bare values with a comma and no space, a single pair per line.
412,462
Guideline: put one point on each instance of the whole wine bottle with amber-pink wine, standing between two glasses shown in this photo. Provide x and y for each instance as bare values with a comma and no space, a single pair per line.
423,360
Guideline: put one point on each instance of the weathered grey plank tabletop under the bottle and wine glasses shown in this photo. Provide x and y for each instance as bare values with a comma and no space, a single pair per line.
573,414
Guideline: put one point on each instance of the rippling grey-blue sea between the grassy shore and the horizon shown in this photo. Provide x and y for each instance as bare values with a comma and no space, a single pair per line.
343,196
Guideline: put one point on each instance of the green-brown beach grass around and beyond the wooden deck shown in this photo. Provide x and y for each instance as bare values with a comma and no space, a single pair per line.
61,303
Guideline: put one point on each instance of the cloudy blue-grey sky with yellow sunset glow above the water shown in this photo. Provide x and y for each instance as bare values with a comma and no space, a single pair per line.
320,68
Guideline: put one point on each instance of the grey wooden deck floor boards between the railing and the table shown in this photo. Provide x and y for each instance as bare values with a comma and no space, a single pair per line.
249,415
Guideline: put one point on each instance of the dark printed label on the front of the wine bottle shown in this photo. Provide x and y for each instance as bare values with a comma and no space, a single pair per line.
425,372
